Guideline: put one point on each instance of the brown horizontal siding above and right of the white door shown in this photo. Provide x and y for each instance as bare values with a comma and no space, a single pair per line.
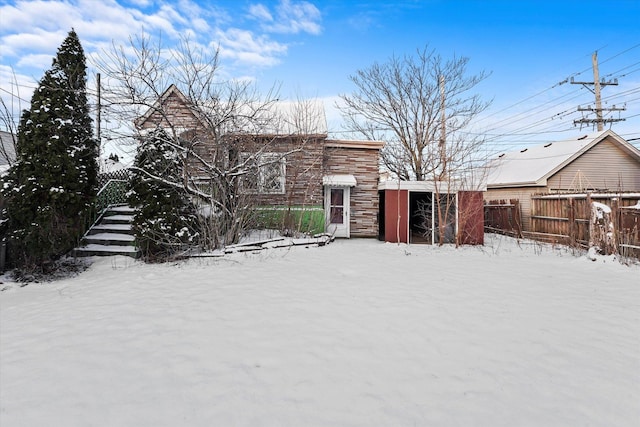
360,159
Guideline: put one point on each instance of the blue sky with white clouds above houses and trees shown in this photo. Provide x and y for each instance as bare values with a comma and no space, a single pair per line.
311,48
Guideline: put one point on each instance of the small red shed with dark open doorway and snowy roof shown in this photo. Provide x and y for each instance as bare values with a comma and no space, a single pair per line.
413,211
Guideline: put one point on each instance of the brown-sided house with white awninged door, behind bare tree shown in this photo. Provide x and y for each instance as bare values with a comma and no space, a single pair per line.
298,168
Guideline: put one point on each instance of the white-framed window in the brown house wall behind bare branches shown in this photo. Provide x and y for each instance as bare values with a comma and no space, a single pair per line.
266,173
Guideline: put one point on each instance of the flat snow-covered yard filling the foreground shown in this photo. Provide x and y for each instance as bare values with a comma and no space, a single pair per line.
357,333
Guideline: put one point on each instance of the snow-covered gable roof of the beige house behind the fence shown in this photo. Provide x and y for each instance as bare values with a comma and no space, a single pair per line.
533,166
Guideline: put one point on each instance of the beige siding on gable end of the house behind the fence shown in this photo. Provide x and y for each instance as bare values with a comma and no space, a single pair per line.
604,167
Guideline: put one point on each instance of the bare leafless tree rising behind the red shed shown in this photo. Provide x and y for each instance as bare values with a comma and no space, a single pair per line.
419,105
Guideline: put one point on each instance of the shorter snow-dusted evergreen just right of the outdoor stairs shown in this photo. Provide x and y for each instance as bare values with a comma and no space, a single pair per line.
165,223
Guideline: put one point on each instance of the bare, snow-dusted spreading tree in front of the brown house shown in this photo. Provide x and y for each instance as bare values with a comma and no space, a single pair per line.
232,141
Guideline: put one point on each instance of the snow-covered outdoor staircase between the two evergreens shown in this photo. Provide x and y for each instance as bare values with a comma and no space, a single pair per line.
111,235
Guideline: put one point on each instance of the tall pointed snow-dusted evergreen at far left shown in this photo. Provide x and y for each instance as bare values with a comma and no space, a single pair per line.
51,187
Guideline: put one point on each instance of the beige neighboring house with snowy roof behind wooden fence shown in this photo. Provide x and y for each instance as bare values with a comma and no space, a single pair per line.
602,162
